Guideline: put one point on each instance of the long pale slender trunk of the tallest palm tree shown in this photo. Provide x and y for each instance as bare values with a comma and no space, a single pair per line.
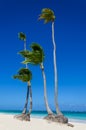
55,72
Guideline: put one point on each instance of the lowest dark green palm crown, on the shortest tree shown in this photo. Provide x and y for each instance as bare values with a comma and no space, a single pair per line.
24,75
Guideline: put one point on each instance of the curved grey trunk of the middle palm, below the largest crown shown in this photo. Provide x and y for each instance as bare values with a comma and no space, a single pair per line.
45,91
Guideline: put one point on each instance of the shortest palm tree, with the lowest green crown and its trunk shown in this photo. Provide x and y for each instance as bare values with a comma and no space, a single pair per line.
25,75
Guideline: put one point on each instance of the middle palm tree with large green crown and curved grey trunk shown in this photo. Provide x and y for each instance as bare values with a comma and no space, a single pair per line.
36,57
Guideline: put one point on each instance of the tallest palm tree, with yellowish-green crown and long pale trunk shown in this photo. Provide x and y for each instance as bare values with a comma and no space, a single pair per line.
48,16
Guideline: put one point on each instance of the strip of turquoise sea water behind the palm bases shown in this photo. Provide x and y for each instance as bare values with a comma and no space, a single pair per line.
41,114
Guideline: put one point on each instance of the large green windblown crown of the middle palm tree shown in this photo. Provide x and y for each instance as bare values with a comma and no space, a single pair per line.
36,56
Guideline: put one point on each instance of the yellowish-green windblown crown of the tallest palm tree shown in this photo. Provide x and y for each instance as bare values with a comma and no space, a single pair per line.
47,14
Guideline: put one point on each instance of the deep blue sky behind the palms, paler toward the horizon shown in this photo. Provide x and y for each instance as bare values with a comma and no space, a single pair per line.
70,31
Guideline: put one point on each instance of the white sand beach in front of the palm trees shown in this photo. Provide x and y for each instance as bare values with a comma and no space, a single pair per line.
8,122
